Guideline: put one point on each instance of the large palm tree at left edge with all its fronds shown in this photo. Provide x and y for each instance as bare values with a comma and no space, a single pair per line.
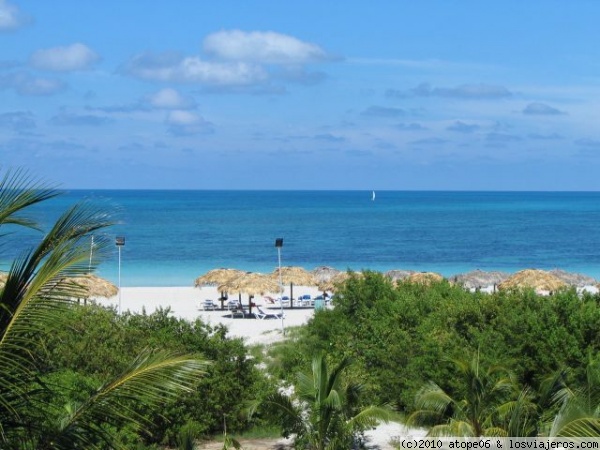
32,301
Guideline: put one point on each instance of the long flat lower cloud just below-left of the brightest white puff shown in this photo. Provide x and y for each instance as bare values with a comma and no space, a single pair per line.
170,68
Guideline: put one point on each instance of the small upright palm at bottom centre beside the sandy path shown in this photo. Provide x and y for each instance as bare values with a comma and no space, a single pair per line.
324,413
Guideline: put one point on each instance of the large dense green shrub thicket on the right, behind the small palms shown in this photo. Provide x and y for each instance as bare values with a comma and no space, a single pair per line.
402,339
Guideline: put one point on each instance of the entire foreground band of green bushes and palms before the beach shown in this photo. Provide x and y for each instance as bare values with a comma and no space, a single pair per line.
461,363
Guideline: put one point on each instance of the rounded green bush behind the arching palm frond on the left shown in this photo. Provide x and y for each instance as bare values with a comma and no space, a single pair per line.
97,343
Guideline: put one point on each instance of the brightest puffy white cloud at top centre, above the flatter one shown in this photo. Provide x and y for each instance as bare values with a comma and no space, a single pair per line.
262,47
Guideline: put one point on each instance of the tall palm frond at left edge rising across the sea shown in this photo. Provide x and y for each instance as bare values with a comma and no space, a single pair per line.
32,303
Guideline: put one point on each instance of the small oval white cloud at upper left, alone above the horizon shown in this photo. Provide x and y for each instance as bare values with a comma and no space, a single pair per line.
61,59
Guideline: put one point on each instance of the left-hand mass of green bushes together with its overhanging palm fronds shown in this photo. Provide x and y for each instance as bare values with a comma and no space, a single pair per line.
83,377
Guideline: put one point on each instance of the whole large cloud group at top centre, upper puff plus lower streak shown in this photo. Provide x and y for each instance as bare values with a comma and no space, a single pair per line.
235,60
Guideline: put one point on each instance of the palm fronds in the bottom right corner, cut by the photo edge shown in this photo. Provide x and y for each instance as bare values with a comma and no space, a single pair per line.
579,413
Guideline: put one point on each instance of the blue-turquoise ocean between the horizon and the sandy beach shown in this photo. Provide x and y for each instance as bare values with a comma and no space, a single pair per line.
174,236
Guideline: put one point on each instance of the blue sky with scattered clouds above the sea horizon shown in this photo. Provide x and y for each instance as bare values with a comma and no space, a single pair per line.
398,95
